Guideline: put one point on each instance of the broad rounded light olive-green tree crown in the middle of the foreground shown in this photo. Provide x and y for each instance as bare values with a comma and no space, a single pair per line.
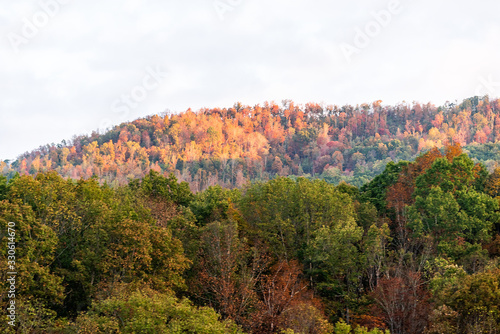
288,213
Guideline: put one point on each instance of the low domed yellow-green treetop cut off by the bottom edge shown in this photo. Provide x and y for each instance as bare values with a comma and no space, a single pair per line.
147,311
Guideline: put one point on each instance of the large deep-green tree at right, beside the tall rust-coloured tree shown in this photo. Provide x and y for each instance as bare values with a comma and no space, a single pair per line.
450,206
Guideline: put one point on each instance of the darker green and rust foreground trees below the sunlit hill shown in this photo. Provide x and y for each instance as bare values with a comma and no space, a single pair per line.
416,250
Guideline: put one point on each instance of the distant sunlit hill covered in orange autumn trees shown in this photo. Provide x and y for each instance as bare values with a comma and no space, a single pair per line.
233,145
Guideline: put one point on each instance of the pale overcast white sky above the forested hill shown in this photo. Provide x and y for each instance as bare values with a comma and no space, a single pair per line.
71,67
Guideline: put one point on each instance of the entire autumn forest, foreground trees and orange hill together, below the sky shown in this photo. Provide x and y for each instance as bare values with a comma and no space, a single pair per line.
266,219
